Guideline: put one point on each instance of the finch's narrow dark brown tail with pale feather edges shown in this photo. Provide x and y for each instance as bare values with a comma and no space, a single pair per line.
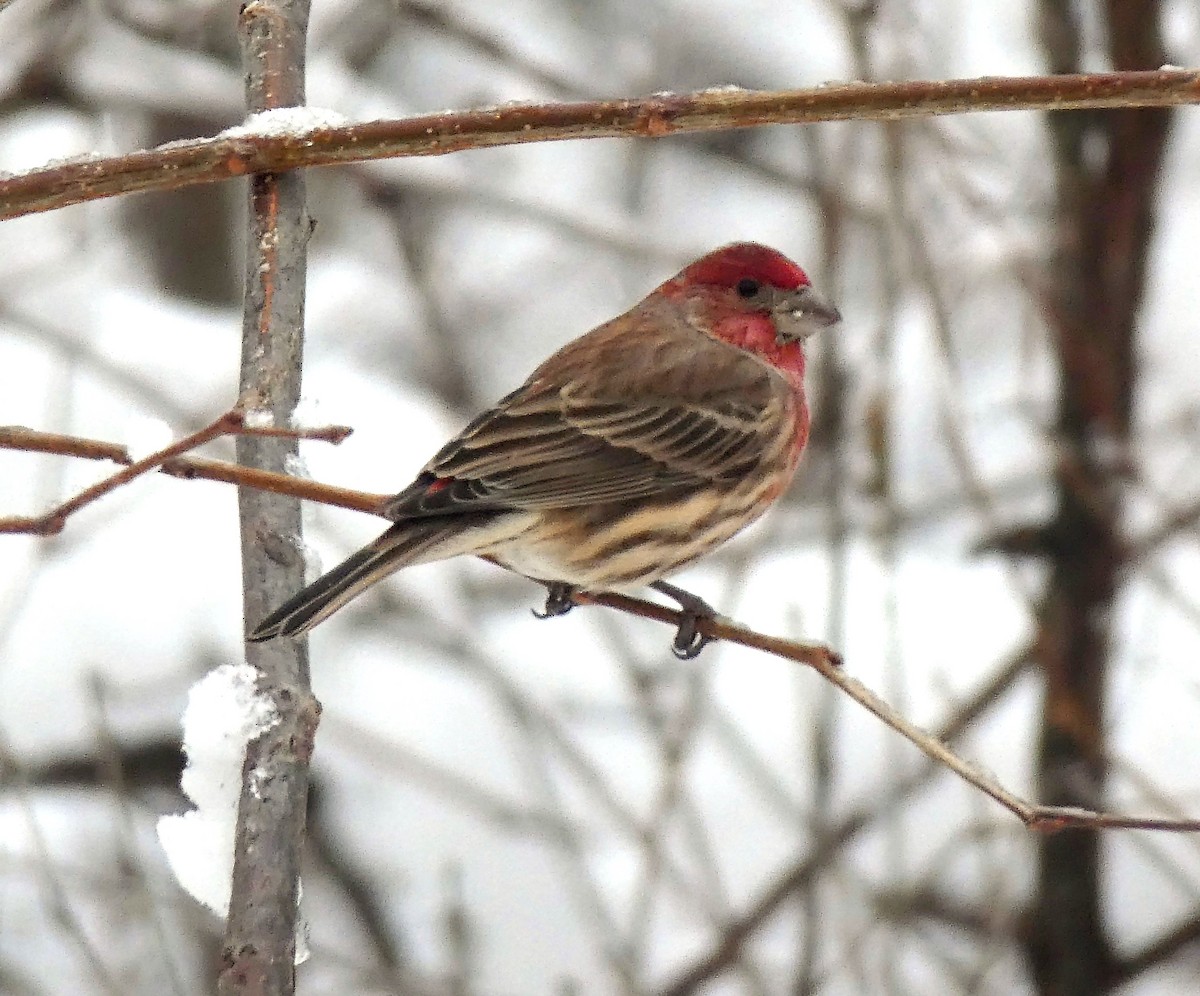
404,544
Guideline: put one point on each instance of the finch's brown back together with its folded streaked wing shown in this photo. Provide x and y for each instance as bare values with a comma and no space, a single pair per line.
704,415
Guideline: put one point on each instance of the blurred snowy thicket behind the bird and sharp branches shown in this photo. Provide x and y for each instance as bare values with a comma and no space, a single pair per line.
995,523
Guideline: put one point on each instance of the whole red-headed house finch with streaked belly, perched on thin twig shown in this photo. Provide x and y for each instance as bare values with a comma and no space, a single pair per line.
631,453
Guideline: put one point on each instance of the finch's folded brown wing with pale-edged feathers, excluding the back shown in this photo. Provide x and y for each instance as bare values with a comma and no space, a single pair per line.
544,448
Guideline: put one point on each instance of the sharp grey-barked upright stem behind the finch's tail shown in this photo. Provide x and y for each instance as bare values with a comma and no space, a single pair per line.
260,950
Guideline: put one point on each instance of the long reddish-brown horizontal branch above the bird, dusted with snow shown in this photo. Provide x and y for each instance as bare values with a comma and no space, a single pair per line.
279,148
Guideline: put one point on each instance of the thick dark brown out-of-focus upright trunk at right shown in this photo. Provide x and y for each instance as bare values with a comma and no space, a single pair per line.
1107,179
